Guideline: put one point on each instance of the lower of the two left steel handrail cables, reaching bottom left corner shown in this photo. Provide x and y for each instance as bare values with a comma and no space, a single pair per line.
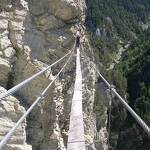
10,133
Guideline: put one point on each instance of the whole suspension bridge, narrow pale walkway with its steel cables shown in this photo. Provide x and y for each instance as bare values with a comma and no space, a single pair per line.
76,140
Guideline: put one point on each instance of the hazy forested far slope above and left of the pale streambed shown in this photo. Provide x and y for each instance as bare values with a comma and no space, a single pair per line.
117,20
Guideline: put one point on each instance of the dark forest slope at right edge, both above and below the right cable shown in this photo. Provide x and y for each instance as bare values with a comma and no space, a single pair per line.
136,68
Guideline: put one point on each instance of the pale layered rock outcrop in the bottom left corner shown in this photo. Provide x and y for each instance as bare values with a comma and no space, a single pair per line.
10,112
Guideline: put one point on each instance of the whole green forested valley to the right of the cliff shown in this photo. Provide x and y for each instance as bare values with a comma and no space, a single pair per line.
119,21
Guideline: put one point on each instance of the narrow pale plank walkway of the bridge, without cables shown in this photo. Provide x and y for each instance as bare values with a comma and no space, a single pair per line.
76,130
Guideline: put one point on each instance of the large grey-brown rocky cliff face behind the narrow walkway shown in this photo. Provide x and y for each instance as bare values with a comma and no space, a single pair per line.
33,34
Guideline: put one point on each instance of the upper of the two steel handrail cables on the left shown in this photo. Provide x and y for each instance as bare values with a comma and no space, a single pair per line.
23,83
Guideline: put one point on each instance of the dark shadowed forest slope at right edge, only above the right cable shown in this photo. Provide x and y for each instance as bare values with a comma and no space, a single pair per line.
136,68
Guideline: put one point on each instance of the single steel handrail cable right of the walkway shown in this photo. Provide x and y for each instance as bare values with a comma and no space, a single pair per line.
125,104
